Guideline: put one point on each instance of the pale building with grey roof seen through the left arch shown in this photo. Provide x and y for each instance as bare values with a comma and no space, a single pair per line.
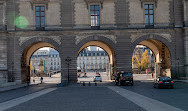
50,58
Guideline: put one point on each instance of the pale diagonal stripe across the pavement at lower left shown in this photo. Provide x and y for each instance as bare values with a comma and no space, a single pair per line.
17,101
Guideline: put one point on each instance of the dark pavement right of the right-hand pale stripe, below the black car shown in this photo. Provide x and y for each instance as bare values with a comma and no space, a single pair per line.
177,97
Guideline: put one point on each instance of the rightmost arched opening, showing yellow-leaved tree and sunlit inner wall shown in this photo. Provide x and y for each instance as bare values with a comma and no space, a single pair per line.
151,57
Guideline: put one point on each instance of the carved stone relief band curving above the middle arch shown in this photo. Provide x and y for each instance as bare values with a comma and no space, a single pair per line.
81,37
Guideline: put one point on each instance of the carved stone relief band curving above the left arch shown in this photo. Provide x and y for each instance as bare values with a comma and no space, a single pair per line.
22,40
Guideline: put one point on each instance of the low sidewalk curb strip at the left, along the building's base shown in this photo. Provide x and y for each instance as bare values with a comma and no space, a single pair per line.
5,89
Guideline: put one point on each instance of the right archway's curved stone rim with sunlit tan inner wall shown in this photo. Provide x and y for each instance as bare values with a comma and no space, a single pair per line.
161,51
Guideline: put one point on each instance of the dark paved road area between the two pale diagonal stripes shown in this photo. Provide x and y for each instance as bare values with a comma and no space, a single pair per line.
79,99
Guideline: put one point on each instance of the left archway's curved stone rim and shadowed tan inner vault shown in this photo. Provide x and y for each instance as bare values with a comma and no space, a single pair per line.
28,48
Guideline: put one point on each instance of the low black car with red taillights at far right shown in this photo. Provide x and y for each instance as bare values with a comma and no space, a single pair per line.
163,82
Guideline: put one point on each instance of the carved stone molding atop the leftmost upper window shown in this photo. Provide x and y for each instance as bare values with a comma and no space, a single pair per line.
39,2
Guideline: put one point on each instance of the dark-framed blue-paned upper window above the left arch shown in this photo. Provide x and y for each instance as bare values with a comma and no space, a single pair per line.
40,17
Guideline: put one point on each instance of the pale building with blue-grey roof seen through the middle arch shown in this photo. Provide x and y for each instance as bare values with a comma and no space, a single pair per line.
93,59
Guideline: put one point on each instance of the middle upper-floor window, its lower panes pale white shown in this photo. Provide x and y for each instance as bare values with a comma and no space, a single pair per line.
95,16
